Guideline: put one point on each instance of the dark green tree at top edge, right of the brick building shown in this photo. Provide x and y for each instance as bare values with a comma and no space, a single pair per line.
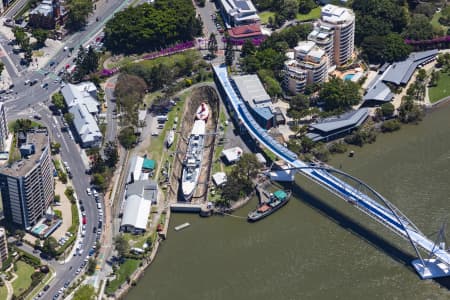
78,12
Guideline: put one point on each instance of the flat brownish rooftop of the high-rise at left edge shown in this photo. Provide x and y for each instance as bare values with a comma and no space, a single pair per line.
39,138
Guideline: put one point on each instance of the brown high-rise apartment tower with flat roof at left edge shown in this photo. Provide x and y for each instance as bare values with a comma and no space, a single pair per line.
27,185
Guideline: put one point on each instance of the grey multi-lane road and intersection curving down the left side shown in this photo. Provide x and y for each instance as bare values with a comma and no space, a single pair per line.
28,101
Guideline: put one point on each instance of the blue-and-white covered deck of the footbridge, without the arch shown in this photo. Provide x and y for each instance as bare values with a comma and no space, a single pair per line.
324,178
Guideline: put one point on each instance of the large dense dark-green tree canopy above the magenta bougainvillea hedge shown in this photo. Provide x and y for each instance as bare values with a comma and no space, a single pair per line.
148,27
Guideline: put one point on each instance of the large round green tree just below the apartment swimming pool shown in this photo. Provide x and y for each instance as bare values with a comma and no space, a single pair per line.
339,94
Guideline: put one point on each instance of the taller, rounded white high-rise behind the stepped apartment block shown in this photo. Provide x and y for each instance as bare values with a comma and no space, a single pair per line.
341,22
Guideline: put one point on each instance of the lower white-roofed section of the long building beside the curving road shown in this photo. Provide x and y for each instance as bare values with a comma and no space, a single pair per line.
87,129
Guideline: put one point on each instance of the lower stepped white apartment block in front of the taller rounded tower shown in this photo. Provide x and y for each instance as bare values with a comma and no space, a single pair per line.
310,65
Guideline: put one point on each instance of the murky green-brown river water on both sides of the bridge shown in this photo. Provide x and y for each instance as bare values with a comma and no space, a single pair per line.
318,247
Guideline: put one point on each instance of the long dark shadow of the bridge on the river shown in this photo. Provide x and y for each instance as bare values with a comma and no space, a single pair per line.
362,232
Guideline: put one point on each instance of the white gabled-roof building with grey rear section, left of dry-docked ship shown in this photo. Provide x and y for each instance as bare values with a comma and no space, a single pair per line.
139,198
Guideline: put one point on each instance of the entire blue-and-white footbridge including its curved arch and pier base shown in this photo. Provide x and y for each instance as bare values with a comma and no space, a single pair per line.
375,206
